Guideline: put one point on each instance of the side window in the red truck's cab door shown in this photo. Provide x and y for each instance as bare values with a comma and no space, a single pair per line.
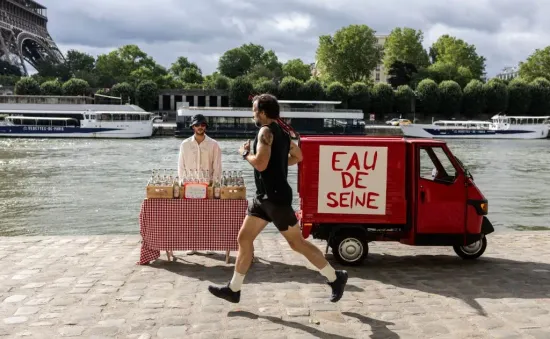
435,165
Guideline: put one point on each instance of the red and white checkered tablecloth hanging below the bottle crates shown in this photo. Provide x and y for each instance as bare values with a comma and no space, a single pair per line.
189,224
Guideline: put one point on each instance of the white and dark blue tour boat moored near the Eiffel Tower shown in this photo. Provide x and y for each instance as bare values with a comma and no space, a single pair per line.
75,121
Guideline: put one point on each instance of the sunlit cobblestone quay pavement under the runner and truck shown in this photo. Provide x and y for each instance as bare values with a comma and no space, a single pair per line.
52,287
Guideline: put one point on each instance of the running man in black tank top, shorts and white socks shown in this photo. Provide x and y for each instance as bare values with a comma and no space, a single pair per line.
273,151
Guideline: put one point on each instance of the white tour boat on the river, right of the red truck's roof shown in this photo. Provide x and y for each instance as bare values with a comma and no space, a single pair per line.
500,127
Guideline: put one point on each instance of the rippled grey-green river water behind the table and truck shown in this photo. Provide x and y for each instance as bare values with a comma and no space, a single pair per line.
85,187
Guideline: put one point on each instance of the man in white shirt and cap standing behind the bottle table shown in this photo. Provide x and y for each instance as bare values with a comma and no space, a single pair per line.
200,152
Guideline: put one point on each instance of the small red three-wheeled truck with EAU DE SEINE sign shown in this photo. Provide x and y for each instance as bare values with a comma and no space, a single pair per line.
358,189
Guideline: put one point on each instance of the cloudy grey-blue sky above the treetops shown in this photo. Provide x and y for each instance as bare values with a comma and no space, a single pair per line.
504,31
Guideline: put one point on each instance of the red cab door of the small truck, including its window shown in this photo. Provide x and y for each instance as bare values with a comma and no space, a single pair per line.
441,196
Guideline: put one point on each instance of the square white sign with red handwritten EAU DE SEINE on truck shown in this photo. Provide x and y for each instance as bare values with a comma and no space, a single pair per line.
352,180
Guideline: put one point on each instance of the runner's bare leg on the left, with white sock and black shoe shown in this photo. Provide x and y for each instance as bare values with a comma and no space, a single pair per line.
252,226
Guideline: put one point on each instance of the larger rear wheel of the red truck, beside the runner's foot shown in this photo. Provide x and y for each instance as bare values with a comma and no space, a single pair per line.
350,249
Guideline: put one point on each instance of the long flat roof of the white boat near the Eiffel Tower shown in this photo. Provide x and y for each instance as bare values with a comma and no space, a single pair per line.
68,108
